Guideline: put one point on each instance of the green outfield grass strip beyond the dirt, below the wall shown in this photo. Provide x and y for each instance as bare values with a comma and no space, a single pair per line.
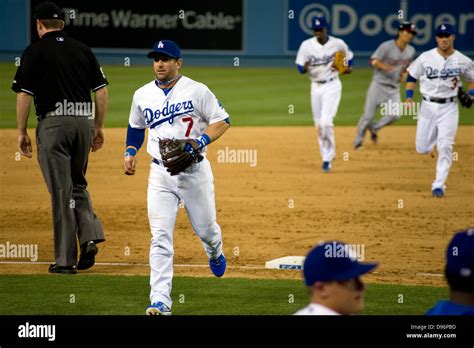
252,96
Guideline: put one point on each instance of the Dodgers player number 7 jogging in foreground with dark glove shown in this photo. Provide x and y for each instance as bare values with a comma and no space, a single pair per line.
183,117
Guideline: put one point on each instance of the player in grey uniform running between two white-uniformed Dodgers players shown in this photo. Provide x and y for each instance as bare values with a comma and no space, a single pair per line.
390,61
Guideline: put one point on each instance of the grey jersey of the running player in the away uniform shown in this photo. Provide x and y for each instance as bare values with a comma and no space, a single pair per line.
389,53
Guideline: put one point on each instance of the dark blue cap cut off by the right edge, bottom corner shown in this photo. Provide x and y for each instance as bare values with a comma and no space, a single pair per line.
460,255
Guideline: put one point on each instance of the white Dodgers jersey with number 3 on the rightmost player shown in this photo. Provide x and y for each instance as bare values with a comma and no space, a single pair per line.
440,77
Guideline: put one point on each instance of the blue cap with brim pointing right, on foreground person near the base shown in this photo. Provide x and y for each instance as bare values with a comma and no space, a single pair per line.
333,261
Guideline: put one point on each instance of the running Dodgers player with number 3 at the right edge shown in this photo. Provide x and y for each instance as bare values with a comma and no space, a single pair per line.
439,71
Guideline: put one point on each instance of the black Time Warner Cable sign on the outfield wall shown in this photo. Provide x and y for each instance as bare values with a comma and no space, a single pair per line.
194,25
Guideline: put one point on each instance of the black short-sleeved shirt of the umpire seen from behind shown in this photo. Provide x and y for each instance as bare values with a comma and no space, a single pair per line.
58,68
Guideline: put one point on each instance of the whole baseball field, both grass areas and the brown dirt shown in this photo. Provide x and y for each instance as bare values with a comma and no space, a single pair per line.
272,199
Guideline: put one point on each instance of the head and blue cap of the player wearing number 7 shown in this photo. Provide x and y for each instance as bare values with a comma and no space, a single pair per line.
167,60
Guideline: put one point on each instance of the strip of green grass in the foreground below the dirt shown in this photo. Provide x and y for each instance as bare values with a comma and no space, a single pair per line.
128,295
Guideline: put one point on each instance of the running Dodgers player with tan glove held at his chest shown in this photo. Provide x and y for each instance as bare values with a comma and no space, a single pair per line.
319,56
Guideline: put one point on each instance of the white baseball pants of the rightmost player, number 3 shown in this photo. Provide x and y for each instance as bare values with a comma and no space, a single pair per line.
437,125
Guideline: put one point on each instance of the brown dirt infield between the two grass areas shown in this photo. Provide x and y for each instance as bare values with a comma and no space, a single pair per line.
379,197
